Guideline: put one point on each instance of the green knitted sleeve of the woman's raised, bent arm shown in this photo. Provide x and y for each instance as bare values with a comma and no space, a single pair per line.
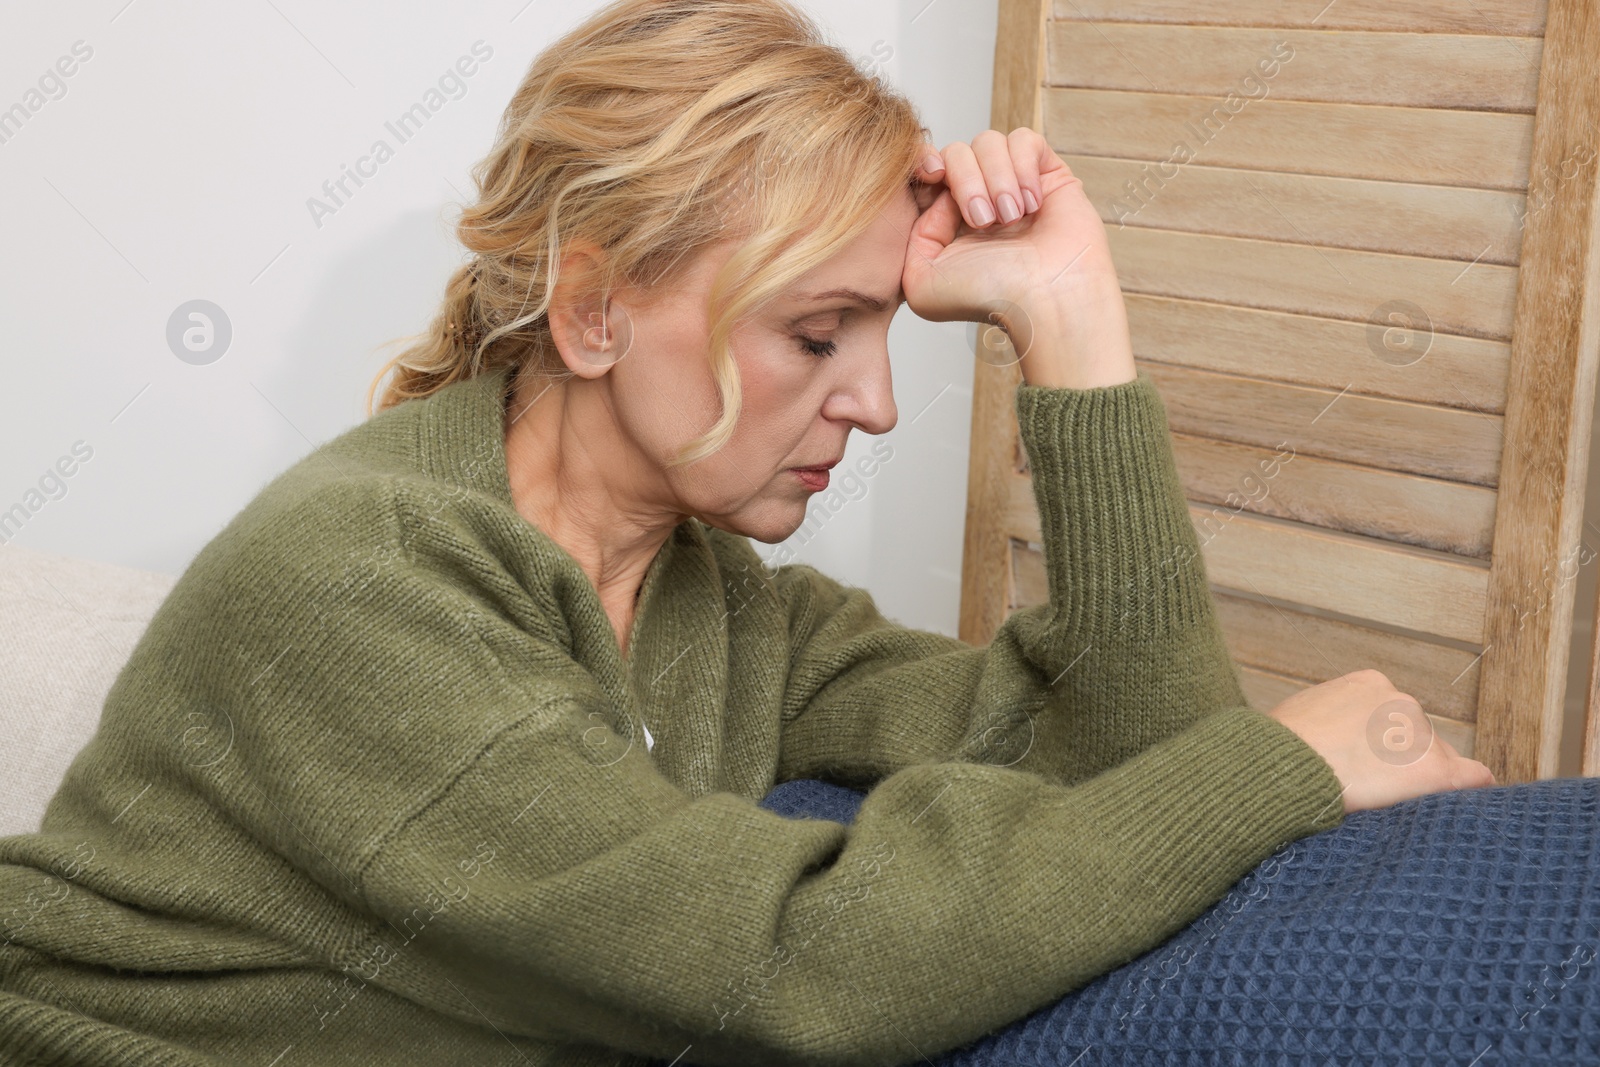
1127,652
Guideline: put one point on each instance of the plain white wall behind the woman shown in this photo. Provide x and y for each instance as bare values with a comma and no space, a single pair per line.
175,164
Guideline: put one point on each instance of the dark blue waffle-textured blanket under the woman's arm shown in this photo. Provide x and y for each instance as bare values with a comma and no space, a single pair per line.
1455,929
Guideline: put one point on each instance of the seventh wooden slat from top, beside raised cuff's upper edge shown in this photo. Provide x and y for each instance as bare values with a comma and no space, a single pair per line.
1390,434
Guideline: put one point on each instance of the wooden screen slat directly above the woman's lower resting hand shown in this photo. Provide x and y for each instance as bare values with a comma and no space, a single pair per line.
1290,642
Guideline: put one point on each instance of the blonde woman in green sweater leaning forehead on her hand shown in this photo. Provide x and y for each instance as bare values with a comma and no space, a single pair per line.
450,746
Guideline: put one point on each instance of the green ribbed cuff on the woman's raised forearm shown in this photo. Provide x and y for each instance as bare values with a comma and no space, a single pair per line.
1121,549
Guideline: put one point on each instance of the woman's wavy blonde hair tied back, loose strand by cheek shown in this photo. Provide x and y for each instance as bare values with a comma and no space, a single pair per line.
654,130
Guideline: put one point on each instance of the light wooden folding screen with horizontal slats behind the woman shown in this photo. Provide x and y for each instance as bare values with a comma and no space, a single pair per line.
1358,246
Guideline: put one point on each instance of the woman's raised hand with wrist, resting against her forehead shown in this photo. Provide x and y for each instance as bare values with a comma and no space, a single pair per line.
1009,236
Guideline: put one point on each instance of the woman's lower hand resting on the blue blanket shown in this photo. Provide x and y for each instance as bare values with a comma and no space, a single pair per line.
1378,741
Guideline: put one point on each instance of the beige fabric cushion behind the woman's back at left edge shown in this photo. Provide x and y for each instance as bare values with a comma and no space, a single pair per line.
68,628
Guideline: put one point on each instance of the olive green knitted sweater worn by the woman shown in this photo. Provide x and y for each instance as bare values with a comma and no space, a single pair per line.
374,789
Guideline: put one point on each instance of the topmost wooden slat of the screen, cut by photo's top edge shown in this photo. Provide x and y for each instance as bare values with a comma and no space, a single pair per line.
1497,18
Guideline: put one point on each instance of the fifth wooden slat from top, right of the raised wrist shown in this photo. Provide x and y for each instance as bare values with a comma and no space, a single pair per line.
1474,300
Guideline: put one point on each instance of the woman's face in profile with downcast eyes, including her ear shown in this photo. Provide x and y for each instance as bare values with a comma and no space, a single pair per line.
814,366
